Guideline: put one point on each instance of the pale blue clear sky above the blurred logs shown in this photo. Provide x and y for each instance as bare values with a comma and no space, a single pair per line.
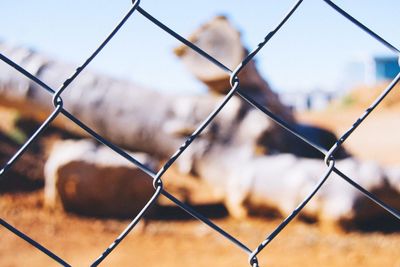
312,50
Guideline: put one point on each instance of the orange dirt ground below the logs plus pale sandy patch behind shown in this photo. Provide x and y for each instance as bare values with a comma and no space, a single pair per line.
186,242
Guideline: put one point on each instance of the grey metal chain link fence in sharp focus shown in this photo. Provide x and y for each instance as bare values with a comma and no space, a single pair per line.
252,253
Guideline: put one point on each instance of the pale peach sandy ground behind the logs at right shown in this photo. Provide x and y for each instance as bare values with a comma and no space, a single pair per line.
377,138
